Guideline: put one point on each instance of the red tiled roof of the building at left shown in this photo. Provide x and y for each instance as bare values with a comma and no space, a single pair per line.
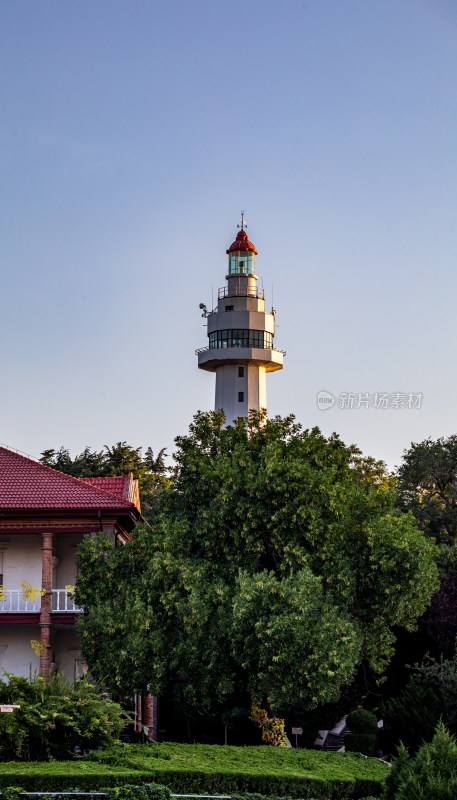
27,484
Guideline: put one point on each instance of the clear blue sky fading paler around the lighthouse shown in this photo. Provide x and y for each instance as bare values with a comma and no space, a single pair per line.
133,132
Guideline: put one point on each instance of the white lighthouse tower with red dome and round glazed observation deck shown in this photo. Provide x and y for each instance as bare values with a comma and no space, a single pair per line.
241,335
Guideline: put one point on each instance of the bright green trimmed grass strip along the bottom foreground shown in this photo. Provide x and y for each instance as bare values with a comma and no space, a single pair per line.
208,769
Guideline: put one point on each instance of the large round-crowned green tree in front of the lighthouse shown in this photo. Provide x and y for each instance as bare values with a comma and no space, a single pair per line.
278,563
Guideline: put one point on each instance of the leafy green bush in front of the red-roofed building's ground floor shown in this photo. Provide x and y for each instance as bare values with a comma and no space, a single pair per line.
54,718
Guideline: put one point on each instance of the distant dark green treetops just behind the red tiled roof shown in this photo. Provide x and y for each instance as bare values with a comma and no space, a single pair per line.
120,459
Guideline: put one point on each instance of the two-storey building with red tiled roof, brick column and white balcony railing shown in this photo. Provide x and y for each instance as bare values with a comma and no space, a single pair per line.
44,514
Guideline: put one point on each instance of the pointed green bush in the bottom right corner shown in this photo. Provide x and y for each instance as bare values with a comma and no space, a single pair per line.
430,775
